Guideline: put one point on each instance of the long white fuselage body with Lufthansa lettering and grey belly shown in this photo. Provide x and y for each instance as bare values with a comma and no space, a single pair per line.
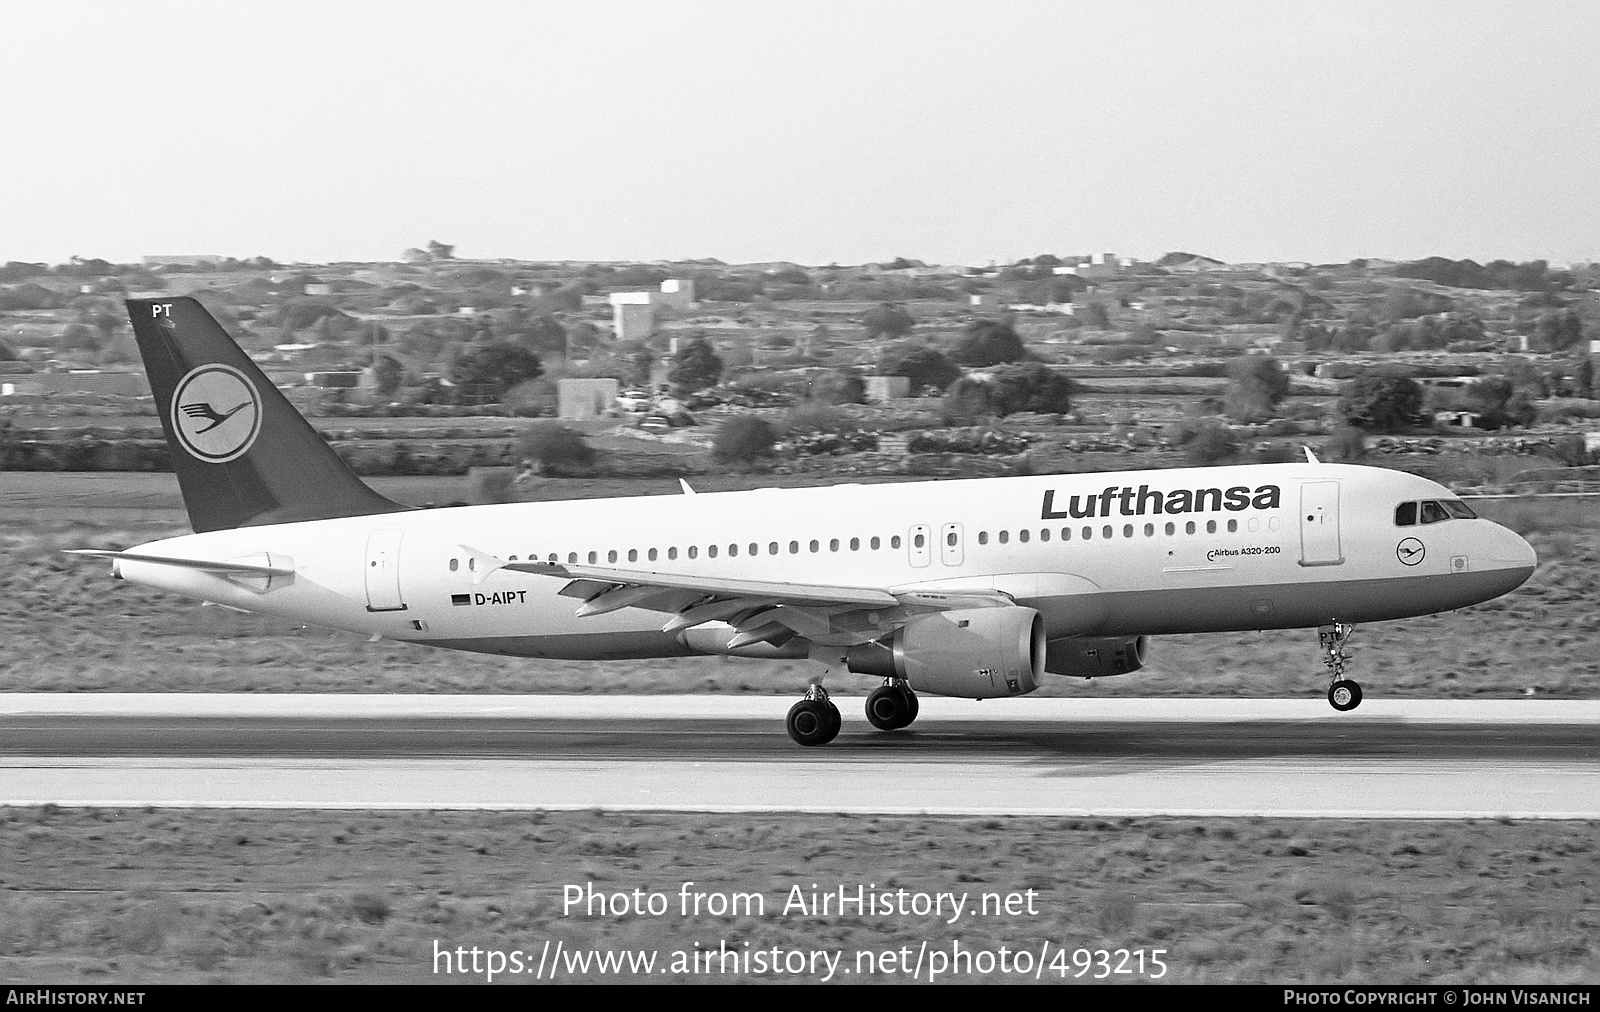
1097,555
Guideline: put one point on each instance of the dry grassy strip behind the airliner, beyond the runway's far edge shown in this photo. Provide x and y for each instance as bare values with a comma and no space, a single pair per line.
71,628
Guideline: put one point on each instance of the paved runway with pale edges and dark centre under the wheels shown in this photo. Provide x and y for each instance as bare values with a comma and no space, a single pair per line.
1106,758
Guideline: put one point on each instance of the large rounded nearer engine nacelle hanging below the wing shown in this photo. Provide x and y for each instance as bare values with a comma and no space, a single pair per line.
974,653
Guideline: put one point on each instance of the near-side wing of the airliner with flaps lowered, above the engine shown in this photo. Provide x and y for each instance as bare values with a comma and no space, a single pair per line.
759,611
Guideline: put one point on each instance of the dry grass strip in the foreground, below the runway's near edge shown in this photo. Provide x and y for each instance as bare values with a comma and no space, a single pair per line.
126,896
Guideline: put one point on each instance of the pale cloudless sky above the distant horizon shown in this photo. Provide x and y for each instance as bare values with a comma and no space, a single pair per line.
802,131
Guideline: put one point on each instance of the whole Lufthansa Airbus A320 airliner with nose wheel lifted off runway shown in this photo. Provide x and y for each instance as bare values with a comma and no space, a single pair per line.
967,588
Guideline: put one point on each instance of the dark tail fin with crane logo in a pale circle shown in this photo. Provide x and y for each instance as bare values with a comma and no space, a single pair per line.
242,454
